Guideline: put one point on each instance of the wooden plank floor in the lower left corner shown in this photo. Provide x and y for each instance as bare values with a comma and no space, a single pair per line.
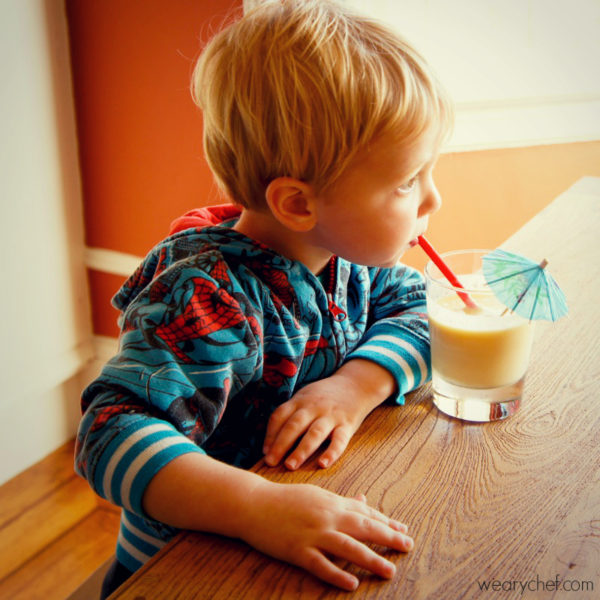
54,531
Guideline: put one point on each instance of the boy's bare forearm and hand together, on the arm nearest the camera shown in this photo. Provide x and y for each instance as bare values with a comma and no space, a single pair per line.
300,524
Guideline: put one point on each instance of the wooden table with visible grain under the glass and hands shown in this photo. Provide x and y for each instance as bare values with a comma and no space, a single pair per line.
513,504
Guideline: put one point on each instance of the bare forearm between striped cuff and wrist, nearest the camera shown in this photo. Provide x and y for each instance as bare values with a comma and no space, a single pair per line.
197,492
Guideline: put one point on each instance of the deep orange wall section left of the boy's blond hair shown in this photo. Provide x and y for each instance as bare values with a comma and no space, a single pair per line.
140,133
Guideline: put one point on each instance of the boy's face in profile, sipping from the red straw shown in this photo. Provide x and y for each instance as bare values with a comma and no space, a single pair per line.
380,203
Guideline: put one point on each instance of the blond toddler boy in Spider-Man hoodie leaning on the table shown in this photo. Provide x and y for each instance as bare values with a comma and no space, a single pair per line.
277,323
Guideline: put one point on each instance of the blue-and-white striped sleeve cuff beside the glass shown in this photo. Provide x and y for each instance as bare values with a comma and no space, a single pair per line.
407,362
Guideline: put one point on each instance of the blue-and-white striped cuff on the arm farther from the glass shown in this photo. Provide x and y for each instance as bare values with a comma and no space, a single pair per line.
133,458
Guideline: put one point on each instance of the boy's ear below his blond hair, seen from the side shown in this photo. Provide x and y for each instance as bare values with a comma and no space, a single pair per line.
292,203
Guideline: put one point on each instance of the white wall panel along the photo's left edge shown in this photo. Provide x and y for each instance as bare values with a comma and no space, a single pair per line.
45,326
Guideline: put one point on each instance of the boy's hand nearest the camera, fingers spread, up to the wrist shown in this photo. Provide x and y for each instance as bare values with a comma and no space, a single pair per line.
308,526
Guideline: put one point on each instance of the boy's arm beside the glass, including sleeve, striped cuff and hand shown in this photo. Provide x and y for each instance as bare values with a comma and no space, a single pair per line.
392,359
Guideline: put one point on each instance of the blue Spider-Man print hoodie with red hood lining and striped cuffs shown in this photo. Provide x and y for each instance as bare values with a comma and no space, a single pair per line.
217,330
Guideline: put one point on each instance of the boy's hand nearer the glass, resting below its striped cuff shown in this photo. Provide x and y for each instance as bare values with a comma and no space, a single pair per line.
332,408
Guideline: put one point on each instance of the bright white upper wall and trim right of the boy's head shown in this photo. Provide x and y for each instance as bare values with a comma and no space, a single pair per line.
522,72
